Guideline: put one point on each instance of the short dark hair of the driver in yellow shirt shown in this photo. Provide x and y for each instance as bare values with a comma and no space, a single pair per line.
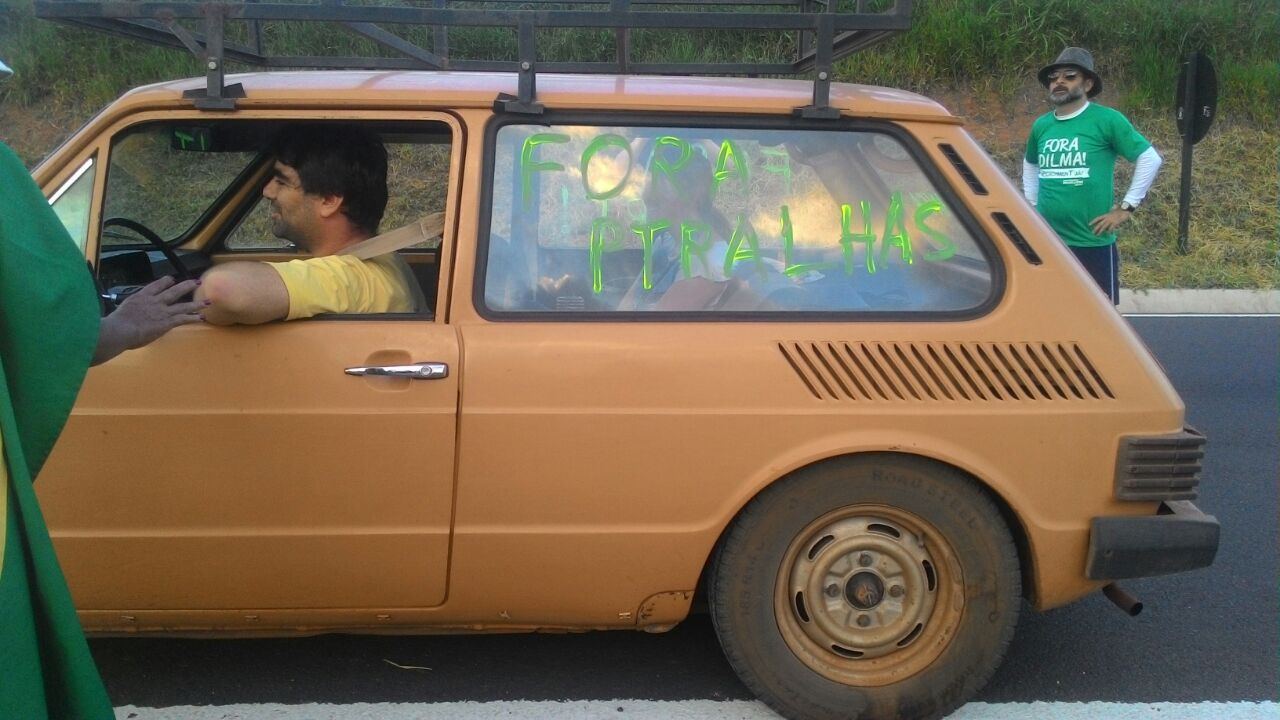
339,160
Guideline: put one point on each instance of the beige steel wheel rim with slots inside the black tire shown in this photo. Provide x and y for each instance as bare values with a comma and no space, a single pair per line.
870,595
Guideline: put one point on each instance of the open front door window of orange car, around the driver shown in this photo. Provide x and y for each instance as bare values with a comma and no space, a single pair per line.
198,184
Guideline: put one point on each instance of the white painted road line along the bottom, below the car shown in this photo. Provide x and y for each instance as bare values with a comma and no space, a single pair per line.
685,710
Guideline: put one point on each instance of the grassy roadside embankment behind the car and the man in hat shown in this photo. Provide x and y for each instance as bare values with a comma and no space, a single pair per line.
977,58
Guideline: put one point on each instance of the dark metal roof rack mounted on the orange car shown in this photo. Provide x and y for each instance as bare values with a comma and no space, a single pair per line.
825,31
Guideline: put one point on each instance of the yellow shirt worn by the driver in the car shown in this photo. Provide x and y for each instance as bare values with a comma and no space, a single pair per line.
341,284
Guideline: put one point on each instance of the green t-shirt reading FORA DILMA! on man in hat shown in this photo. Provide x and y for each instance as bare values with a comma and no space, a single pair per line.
1077,161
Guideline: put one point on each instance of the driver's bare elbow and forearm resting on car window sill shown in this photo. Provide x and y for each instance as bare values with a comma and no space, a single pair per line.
245,294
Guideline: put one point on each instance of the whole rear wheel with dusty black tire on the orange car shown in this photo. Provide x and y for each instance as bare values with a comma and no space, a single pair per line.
875,587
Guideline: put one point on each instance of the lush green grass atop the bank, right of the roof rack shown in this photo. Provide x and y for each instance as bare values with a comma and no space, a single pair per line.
1139,45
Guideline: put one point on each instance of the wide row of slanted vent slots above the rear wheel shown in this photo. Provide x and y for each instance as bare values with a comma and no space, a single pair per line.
961,372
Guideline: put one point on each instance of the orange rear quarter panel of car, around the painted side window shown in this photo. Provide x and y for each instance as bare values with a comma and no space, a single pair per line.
604,461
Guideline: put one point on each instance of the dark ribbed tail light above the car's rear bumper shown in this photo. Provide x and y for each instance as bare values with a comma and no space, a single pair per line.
1158,468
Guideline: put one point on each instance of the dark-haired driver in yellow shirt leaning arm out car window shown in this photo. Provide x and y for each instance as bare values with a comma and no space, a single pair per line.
328,192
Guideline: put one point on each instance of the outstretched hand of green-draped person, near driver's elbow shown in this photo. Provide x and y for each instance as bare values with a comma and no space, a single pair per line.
147,316
